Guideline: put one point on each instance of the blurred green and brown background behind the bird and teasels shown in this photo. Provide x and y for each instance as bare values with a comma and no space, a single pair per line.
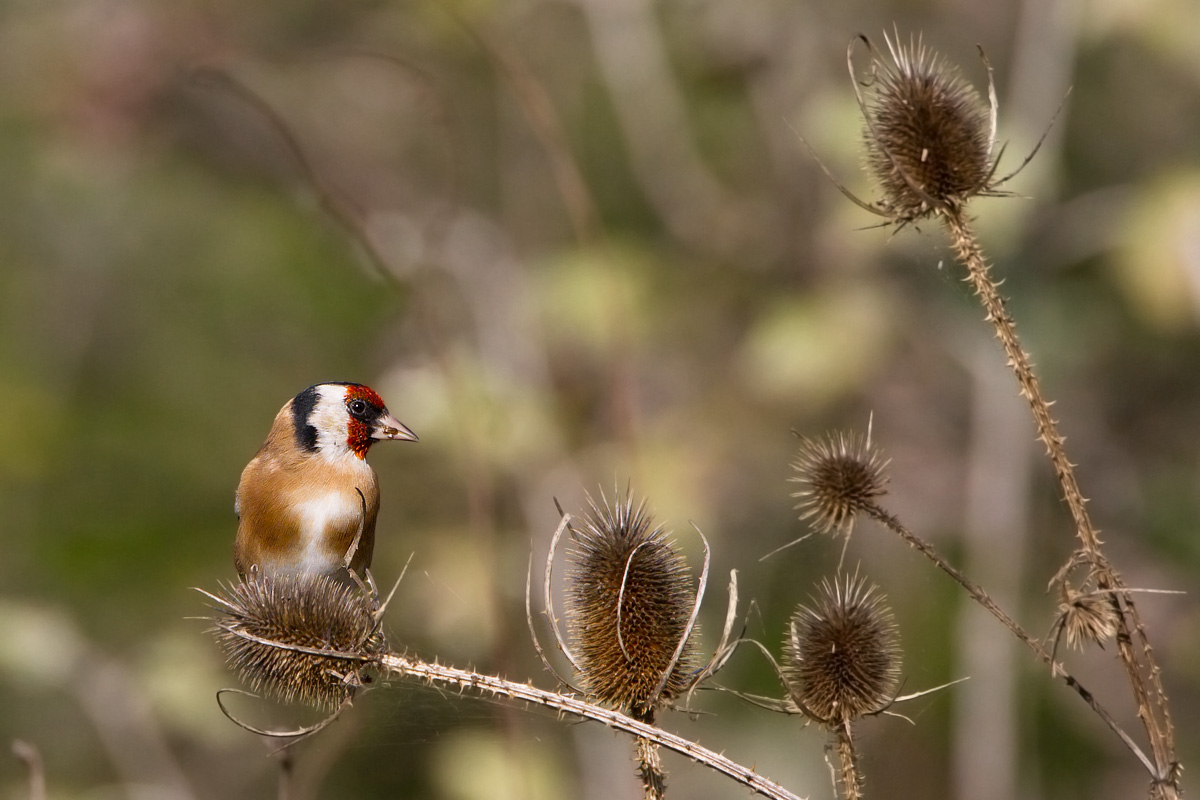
578,245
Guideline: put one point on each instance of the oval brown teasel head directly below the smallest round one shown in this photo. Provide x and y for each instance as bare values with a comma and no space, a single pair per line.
842,653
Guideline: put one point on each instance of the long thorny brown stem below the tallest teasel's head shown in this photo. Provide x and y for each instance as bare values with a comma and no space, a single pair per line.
1153,708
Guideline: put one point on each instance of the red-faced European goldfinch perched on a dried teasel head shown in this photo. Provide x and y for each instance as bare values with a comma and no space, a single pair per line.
308,502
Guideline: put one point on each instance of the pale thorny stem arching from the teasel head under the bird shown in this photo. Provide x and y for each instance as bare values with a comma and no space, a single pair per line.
567,705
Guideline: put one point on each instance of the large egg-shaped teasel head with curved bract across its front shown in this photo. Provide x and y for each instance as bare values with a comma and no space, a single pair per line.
628,607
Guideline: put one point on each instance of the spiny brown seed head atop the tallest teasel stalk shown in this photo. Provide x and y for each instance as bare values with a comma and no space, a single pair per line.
929,136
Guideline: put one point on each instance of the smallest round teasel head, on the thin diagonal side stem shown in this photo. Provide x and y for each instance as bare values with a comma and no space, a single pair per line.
843,476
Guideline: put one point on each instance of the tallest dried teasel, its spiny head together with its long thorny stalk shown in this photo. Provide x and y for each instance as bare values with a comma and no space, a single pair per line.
931,146
